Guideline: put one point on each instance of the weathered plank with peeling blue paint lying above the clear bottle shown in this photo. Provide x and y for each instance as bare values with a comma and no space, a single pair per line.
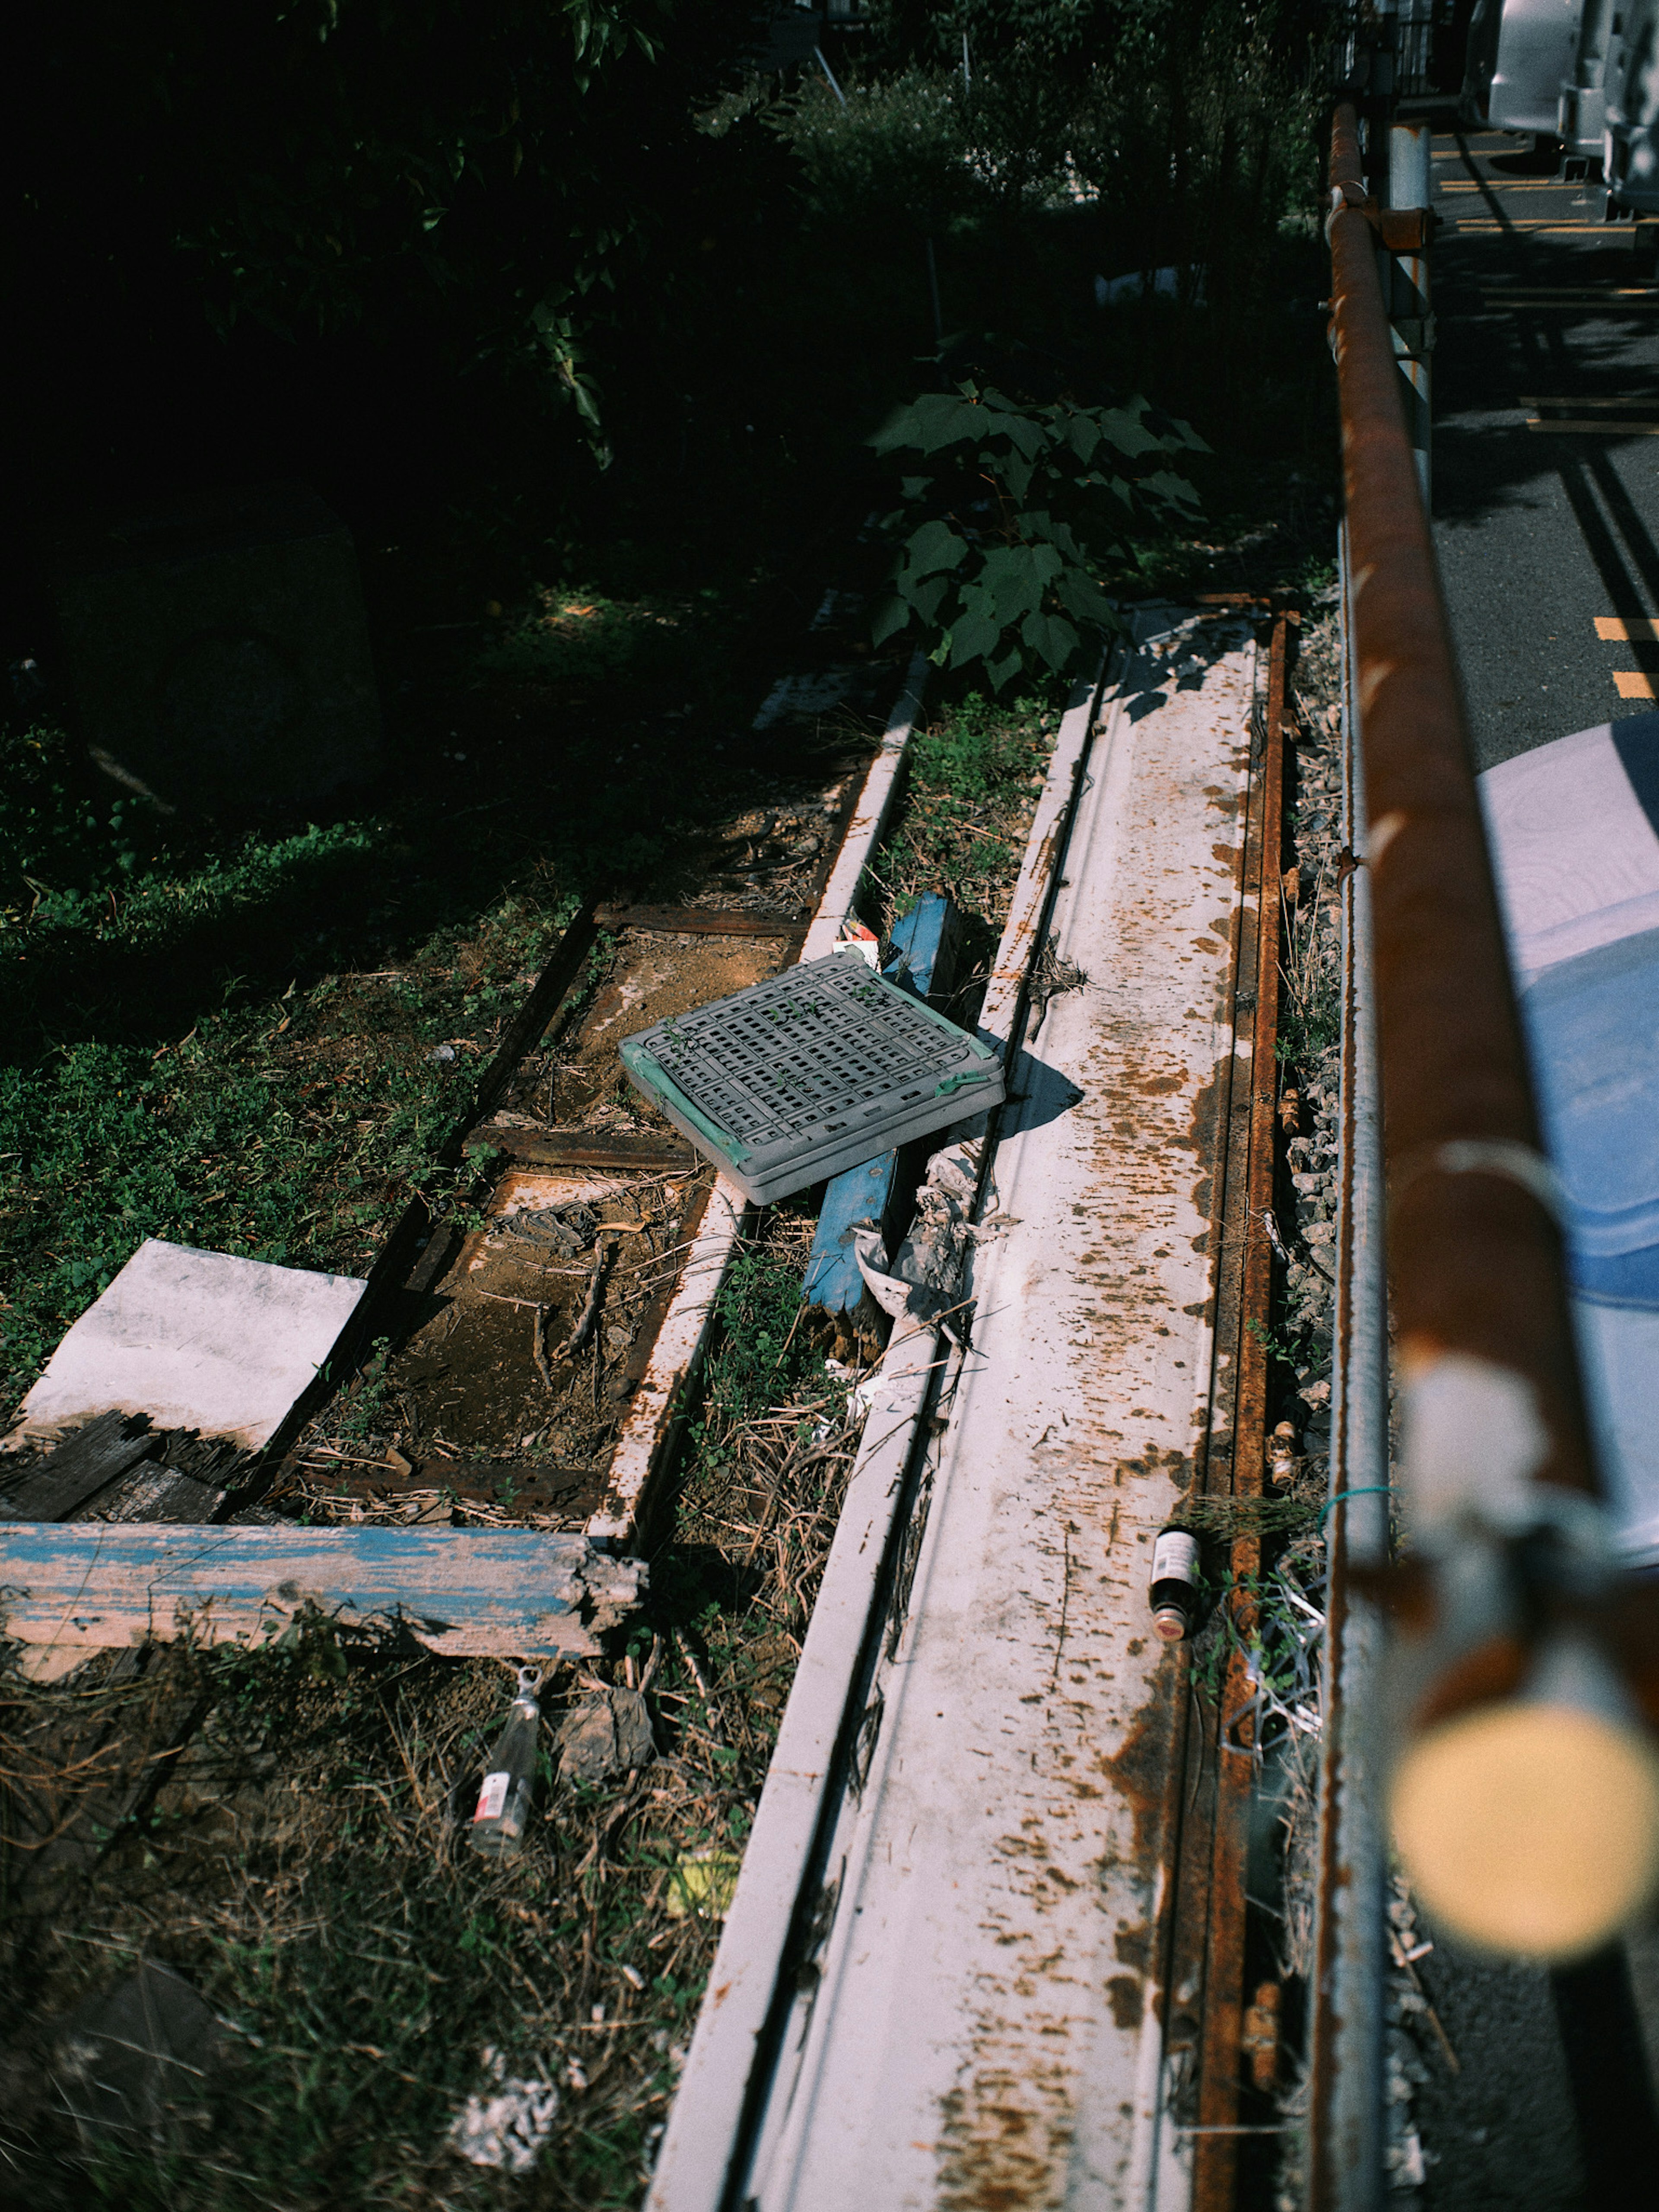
466,1594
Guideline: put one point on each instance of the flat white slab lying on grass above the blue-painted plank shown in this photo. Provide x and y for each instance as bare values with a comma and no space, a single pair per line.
198,1342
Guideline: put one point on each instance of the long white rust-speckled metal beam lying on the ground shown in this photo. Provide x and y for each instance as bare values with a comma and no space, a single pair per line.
939,1981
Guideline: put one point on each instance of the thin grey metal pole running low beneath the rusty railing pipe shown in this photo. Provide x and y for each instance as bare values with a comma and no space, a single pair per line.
1346,2103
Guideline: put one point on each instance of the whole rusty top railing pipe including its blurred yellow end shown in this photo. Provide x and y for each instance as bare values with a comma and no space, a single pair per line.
1516,1653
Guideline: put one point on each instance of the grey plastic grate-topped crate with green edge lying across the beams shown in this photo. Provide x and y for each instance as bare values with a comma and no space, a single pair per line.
808,1074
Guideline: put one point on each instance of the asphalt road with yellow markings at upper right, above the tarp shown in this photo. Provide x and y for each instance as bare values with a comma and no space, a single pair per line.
1538,530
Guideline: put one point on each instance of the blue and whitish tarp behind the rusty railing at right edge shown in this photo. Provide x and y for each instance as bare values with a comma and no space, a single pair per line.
1576,844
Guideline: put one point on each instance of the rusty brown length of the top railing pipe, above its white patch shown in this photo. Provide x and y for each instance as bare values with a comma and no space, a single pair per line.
1474,1251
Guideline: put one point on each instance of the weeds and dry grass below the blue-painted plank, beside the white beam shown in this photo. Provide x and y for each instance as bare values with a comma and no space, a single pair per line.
306,1866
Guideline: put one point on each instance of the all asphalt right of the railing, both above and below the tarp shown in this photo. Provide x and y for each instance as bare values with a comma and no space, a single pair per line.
1543,534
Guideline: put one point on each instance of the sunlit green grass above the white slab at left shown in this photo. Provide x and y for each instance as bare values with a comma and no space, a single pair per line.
280,1127
